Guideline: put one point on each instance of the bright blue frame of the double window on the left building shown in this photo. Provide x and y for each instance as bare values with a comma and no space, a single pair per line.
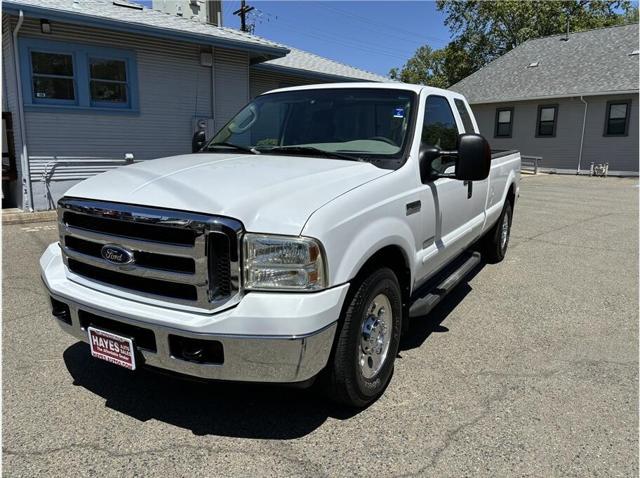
81,55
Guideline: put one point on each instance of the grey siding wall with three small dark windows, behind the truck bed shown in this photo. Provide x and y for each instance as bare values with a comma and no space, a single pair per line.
562,151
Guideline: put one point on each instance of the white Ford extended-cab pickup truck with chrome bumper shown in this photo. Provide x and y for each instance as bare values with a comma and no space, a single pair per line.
295,244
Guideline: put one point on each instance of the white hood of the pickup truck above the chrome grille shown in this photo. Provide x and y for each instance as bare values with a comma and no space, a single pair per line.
268,193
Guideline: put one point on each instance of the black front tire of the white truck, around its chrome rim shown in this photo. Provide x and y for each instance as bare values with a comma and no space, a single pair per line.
346,382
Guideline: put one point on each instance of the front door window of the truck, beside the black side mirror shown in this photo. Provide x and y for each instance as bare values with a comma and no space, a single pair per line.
440,130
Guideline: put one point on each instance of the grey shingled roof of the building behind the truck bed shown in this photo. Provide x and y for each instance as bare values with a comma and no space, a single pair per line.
592,62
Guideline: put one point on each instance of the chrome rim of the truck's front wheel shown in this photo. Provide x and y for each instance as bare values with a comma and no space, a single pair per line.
375,338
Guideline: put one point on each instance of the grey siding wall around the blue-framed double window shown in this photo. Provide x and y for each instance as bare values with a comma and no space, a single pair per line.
173,88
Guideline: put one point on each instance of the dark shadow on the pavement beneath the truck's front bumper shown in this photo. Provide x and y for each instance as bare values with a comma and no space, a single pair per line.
206,408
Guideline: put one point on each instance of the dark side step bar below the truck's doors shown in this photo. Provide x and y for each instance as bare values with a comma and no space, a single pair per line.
436,290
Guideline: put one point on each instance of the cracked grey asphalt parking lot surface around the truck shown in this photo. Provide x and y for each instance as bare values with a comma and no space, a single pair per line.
529,369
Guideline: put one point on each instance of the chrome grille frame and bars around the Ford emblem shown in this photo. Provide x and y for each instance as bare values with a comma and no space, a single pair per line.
202,226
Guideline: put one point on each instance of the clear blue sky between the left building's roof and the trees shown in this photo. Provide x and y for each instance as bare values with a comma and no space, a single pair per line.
372,35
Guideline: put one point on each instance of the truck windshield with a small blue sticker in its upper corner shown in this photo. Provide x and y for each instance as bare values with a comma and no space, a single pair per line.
350,123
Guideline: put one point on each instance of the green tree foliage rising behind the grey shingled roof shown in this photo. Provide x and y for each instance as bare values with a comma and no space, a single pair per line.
485,30
